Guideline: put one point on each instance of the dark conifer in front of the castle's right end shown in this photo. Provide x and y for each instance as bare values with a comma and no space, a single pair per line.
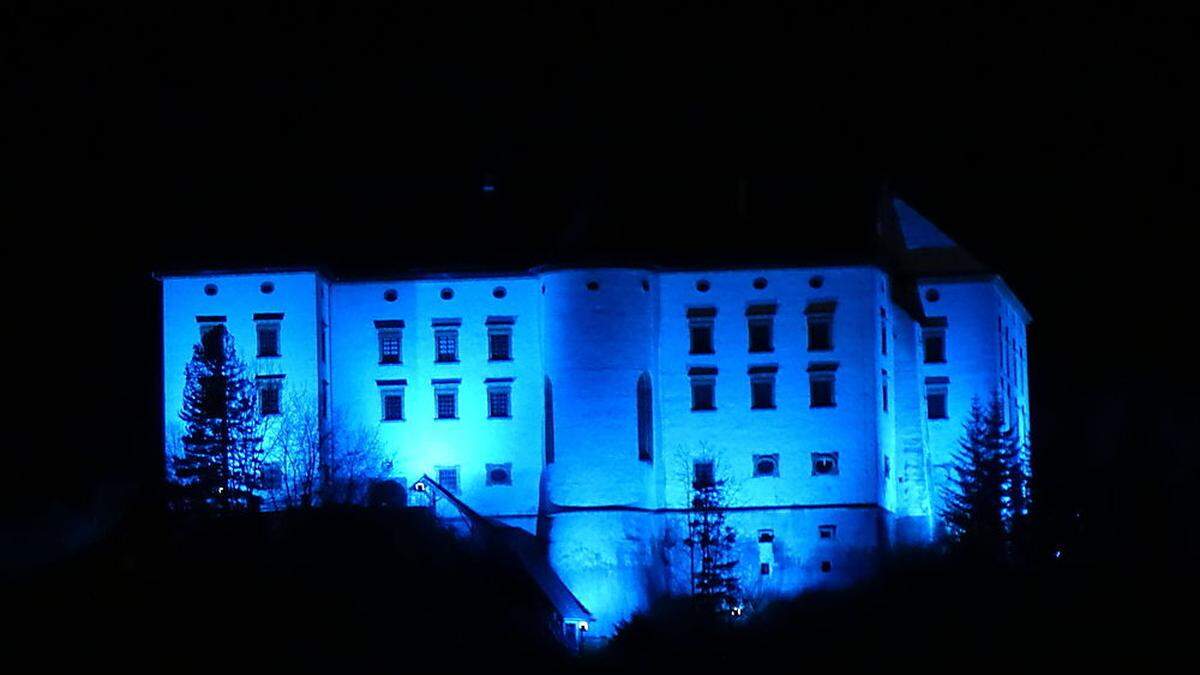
976,503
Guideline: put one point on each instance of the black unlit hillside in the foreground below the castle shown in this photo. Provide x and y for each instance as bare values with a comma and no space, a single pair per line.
361,592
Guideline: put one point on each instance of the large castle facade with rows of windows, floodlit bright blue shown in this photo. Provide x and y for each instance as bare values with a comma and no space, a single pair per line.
580,404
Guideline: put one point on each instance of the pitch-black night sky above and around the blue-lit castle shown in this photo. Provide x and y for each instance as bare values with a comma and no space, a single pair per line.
1058,146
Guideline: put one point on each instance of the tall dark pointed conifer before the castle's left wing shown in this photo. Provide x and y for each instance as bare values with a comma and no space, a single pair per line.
223,459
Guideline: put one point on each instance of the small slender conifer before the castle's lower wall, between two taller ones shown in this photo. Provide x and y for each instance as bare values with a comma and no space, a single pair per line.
715,583
